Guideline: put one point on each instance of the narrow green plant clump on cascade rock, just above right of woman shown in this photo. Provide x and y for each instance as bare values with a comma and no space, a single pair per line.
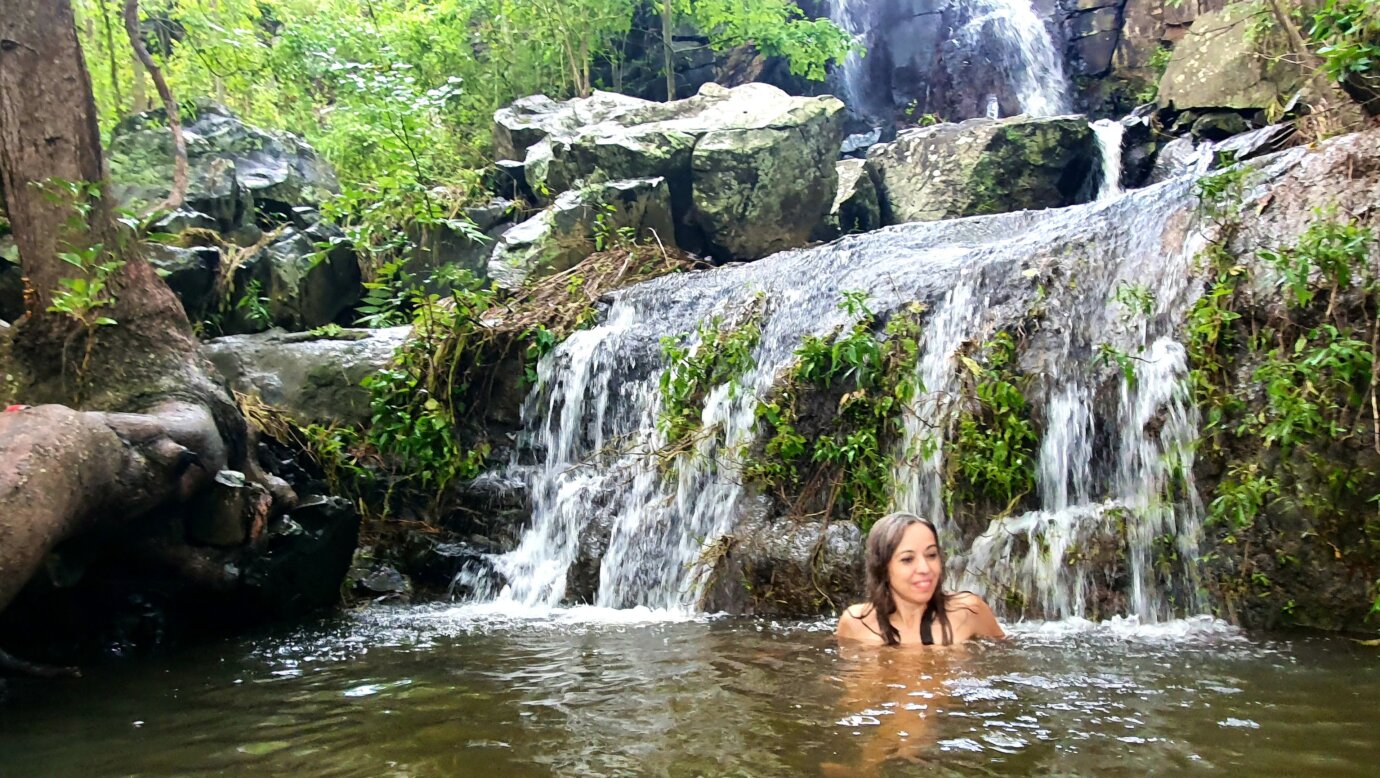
994,450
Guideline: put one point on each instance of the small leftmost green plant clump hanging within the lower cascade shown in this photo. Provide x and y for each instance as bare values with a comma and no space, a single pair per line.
721,355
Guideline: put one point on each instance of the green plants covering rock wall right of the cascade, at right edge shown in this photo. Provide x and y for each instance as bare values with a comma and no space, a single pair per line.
1291,441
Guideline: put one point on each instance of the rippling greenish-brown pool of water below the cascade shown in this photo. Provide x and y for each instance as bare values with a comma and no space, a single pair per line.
480,692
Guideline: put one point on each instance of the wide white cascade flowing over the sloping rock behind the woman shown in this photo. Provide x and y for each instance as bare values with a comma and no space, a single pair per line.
1114,478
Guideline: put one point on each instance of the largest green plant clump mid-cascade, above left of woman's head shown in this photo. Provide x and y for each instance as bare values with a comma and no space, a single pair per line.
847,455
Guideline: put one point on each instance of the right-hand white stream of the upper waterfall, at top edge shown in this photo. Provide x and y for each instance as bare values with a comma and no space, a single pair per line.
1026,53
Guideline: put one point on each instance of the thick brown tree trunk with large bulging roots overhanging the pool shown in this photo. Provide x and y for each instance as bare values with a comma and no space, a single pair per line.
157,427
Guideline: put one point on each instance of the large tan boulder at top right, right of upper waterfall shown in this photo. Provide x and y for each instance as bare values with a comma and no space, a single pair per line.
1222,64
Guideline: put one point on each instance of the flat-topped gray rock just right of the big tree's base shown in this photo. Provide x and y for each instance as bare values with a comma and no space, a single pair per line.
314,380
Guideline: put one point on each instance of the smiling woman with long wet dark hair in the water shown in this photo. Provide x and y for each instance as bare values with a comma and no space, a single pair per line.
907,604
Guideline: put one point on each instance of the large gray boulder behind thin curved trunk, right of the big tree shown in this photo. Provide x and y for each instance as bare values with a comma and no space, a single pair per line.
234,169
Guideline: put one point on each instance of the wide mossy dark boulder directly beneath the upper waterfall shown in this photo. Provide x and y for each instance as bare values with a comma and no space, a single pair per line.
983,168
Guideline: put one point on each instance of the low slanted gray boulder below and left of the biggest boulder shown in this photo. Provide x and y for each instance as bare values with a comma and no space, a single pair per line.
576,224
